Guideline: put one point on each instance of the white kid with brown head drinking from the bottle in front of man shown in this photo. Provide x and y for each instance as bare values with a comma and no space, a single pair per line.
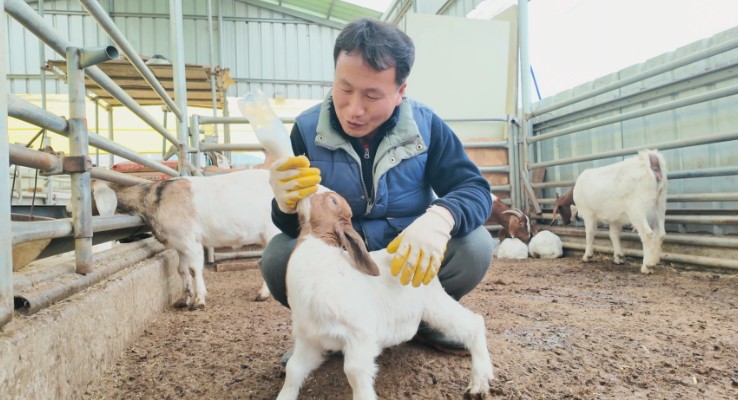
345,299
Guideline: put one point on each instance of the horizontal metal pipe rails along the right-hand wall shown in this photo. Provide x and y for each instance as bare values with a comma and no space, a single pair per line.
563,118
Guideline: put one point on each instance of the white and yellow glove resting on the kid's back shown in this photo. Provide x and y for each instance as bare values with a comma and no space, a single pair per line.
419,249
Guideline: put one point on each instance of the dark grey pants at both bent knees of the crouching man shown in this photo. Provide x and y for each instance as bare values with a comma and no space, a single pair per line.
464,265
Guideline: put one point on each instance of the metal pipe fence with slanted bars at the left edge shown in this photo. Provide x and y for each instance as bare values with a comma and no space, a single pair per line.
80,62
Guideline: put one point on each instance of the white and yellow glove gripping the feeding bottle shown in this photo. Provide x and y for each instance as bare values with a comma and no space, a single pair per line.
292,180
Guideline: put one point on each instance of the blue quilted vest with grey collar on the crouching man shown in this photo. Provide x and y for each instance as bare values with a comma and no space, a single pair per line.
400,192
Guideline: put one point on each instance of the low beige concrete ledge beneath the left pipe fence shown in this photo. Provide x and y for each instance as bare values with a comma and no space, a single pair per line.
57,352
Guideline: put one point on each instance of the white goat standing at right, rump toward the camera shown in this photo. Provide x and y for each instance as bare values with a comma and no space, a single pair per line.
631,191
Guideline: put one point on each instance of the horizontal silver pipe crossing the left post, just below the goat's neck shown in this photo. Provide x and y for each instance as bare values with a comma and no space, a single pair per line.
62,227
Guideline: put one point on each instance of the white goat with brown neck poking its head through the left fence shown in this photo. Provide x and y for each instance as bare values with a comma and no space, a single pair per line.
185,214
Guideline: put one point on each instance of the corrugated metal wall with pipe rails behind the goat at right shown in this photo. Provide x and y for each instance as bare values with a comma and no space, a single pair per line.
683,104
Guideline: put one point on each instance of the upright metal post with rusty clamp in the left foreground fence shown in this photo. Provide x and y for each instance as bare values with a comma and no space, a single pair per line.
81,201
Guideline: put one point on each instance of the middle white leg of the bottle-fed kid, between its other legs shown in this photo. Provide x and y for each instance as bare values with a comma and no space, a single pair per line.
360,368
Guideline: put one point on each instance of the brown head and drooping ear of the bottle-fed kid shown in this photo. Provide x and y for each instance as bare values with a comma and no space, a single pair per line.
327,216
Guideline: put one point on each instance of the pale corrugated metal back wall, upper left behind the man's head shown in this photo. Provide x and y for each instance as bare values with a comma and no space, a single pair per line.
280,54
